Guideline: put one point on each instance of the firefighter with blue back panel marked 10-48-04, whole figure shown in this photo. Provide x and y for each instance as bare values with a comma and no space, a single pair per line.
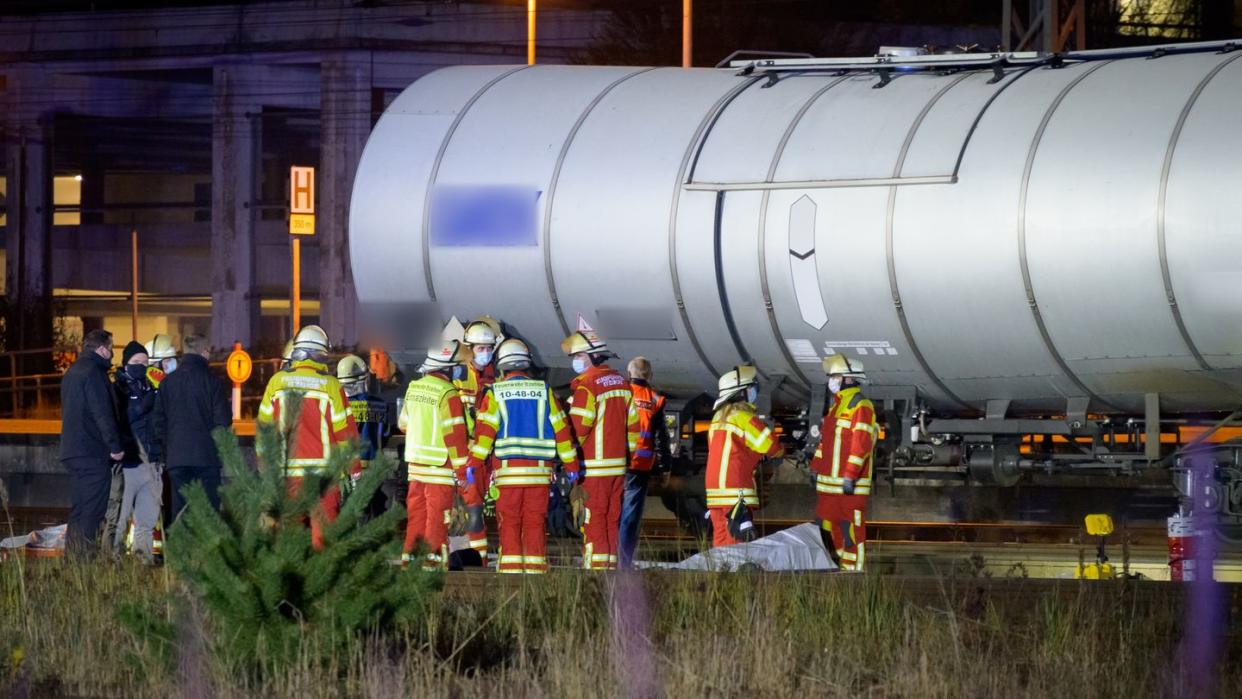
521,423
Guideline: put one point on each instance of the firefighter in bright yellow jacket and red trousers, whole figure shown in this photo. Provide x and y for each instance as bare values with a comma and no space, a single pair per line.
437,449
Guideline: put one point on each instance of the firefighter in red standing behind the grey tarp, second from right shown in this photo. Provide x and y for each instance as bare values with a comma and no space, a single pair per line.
738,440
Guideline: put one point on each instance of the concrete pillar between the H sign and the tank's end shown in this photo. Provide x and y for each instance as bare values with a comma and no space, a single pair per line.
346,122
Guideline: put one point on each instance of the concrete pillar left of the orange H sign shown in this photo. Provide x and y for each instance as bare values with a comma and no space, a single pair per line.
235,152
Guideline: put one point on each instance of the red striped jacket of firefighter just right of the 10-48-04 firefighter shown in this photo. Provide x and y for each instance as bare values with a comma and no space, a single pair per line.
605,420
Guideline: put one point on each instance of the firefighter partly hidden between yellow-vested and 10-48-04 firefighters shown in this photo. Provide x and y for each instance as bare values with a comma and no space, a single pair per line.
481,337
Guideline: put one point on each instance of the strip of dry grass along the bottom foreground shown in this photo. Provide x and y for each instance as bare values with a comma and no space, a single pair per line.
557,636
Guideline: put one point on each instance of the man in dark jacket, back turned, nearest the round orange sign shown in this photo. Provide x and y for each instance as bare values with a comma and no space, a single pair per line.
192,403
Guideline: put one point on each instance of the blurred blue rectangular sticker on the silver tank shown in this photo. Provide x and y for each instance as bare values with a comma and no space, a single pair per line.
485,217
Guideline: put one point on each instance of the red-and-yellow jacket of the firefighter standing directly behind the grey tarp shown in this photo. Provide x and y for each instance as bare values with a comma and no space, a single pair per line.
737,443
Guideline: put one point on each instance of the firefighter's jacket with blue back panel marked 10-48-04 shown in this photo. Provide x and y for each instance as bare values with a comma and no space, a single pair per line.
521,424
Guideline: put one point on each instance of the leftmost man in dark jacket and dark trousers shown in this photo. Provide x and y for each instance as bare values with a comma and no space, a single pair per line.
90,440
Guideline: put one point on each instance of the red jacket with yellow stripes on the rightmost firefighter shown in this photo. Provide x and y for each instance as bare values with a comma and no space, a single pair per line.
848,444
